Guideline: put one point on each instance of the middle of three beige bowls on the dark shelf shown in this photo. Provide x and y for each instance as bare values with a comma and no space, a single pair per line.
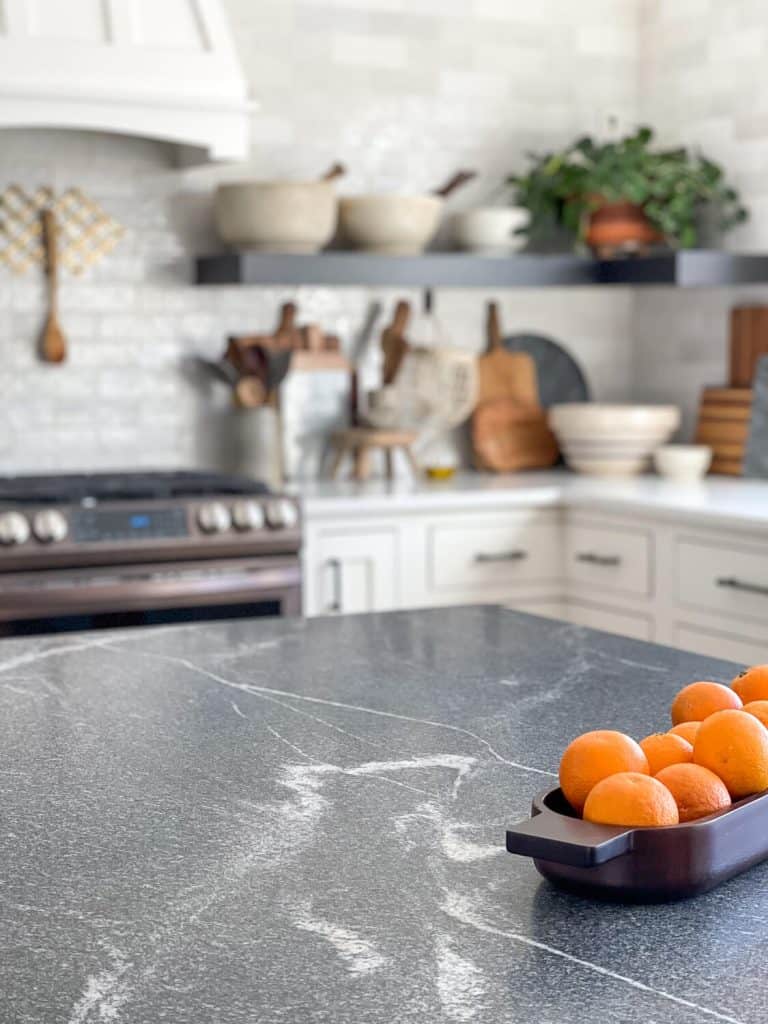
396,226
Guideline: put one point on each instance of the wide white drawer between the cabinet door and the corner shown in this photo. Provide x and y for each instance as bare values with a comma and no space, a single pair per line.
492,553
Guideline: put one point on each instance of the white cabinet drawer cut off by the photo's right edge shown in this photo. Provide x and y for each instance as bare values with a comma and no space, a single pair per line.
732,581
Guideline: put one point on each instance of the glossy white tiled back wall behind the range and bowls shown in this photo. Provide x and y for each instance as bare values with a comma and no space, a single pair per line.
404,92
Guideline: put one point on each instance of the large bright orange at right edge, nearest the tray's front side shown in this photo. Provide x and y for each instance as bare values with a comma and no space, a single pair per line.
735,746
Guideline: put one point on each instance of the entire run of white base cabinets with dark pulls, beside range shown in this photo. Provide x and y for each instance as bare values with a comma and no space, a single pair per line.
615,569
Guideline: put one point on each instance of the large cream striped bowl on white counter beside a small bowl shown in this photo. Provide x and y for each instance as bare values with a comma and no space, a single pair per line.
612,441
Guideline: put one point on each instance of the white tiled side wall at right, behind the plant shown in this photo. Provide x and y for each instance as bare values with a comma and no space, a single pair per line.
703,83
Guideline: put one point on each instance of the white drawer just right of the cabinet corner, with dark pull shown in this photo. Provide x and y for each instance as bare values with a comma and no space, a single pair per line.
609,559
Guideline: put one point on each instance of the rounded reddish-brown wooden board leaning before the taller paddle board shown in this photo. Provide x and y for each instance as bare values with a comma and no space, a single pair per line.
509,436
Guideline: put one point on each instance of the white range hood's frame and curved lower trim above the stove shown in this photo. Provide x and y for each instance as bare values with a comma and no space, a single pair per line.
207,116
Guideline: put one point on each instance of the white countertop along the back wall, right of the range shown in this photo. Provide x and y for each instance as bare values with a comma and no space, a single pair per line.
716,501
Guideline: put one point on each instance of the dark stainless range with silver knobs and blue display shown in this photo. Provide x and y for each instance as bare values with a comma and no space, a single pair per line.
123,549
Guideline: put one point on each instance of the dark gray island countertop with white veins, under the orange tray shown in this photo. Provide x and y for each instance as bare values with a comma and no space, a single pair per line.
304,822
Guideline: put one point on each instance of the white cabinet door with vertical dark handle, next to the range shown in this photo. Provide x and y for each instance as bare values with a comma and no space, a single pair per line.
354,572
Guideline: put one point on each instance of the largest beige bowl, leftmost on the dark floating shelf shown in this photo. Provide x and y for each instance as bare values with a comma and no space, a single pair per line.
277,217
